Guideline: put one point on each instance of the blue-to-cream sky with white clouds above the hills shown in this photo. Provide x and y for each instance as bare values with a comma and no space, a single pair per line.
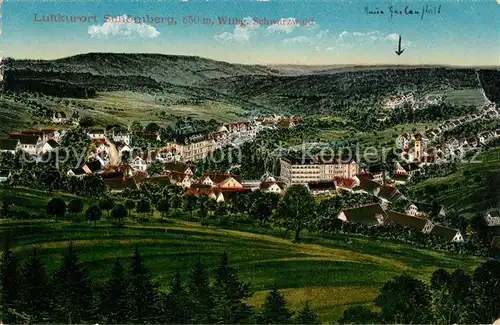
307,32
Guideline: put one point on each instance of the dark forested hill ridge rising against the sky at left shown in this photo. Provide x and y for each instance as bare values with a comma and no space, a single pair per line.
125,68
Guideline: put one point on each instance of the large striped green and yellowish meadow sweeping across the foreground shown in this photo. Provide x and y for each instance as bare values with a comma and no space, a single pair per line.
329,273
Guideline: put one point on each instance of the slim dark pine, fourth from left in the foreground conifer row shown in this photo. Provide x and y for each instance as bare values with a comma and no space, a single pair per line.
115,301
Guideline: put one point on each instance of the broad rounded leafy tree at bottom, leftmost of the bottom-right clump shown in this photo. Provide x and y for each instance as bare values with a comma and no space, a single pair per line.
404,300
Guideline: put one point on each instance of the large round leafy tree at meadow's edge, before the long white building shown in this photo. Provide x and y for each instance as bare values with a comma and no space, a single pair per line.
296,210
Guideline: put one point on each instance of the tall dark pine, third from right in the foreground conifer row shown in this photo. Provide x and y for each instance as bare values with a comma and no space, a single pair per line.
229,293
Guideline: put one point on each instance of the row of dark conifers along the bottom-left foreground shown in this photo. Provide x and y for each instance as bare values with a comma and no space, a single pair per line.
130,295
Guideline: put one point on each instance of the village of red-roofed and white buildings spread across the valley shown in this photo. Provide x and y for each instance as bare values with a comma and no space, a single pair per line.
121,166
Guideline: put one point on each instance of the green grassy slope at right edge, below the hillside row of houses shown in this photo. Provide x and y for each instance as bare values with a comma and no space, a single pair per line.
469,196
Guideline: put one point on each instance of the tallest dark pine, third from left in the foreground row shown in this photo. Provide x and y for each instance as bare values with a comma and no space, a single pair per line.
72,287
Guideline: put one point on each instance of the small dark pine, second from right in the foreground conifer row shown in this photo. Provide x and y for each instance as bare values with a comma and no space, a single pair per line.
274,309
